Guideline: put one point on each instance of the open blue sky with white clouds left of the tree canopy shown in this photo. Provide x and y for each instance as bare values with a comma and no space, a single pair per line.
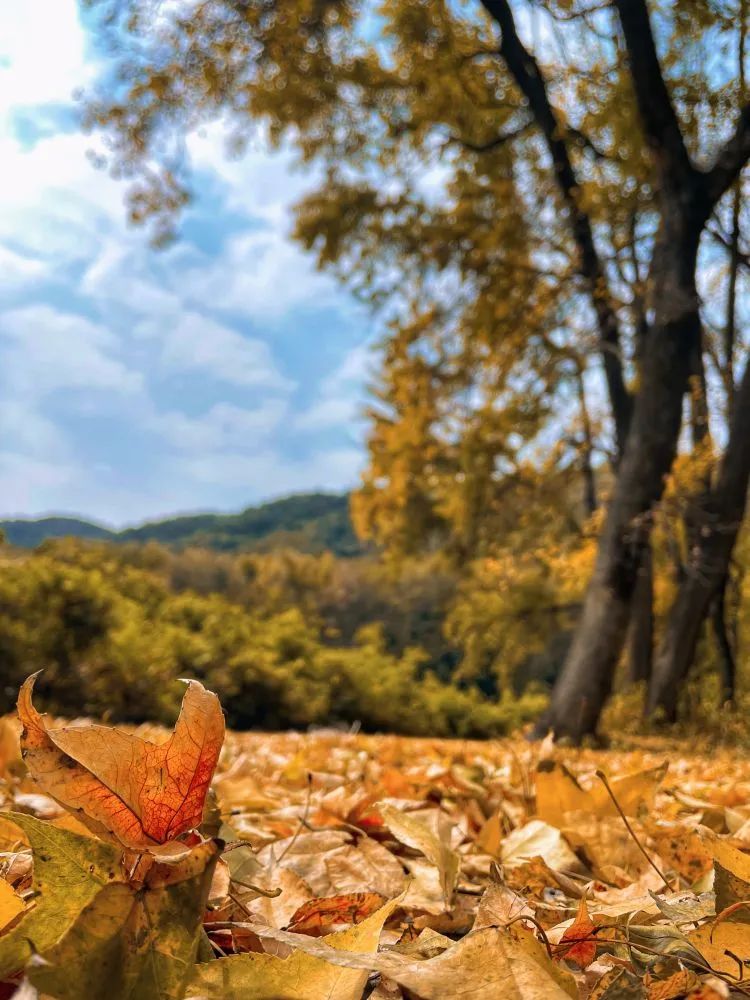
137,383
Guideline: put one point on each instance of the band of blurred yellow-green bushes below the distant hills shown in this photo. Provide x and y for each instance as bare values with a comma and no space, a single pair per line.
112,636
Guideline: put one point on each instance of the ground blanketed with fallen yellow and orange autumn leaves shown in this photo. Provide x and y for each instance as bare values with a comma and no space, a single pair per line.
343,866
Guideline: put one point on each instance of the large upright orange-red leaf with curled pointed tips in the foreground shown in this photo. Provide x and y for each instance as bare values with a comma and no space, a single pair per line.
141,793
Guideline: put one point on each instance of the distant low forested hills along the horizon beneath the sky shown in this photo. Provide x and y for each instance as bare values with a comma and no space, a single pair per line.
310,522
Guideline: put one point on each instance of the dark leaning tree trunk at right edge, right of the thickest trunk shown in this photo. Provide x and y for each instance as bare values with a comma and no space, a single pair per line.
709,567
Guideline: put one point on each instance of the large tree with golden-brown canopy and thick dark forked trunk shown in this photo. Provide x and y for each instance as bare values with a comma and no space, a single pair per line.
574,184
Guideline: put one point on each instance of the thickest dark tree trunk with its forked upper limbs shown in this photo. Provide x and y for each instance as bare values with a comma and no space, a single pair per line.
686,198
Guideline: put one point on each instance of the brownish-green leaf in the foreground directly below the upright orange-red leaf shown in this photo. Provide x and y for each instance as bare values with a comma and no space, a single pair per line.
133,943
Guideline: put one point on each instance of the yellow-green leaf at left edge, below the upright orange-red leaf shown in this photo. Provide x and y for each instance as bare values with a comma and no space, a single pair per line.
69,872
